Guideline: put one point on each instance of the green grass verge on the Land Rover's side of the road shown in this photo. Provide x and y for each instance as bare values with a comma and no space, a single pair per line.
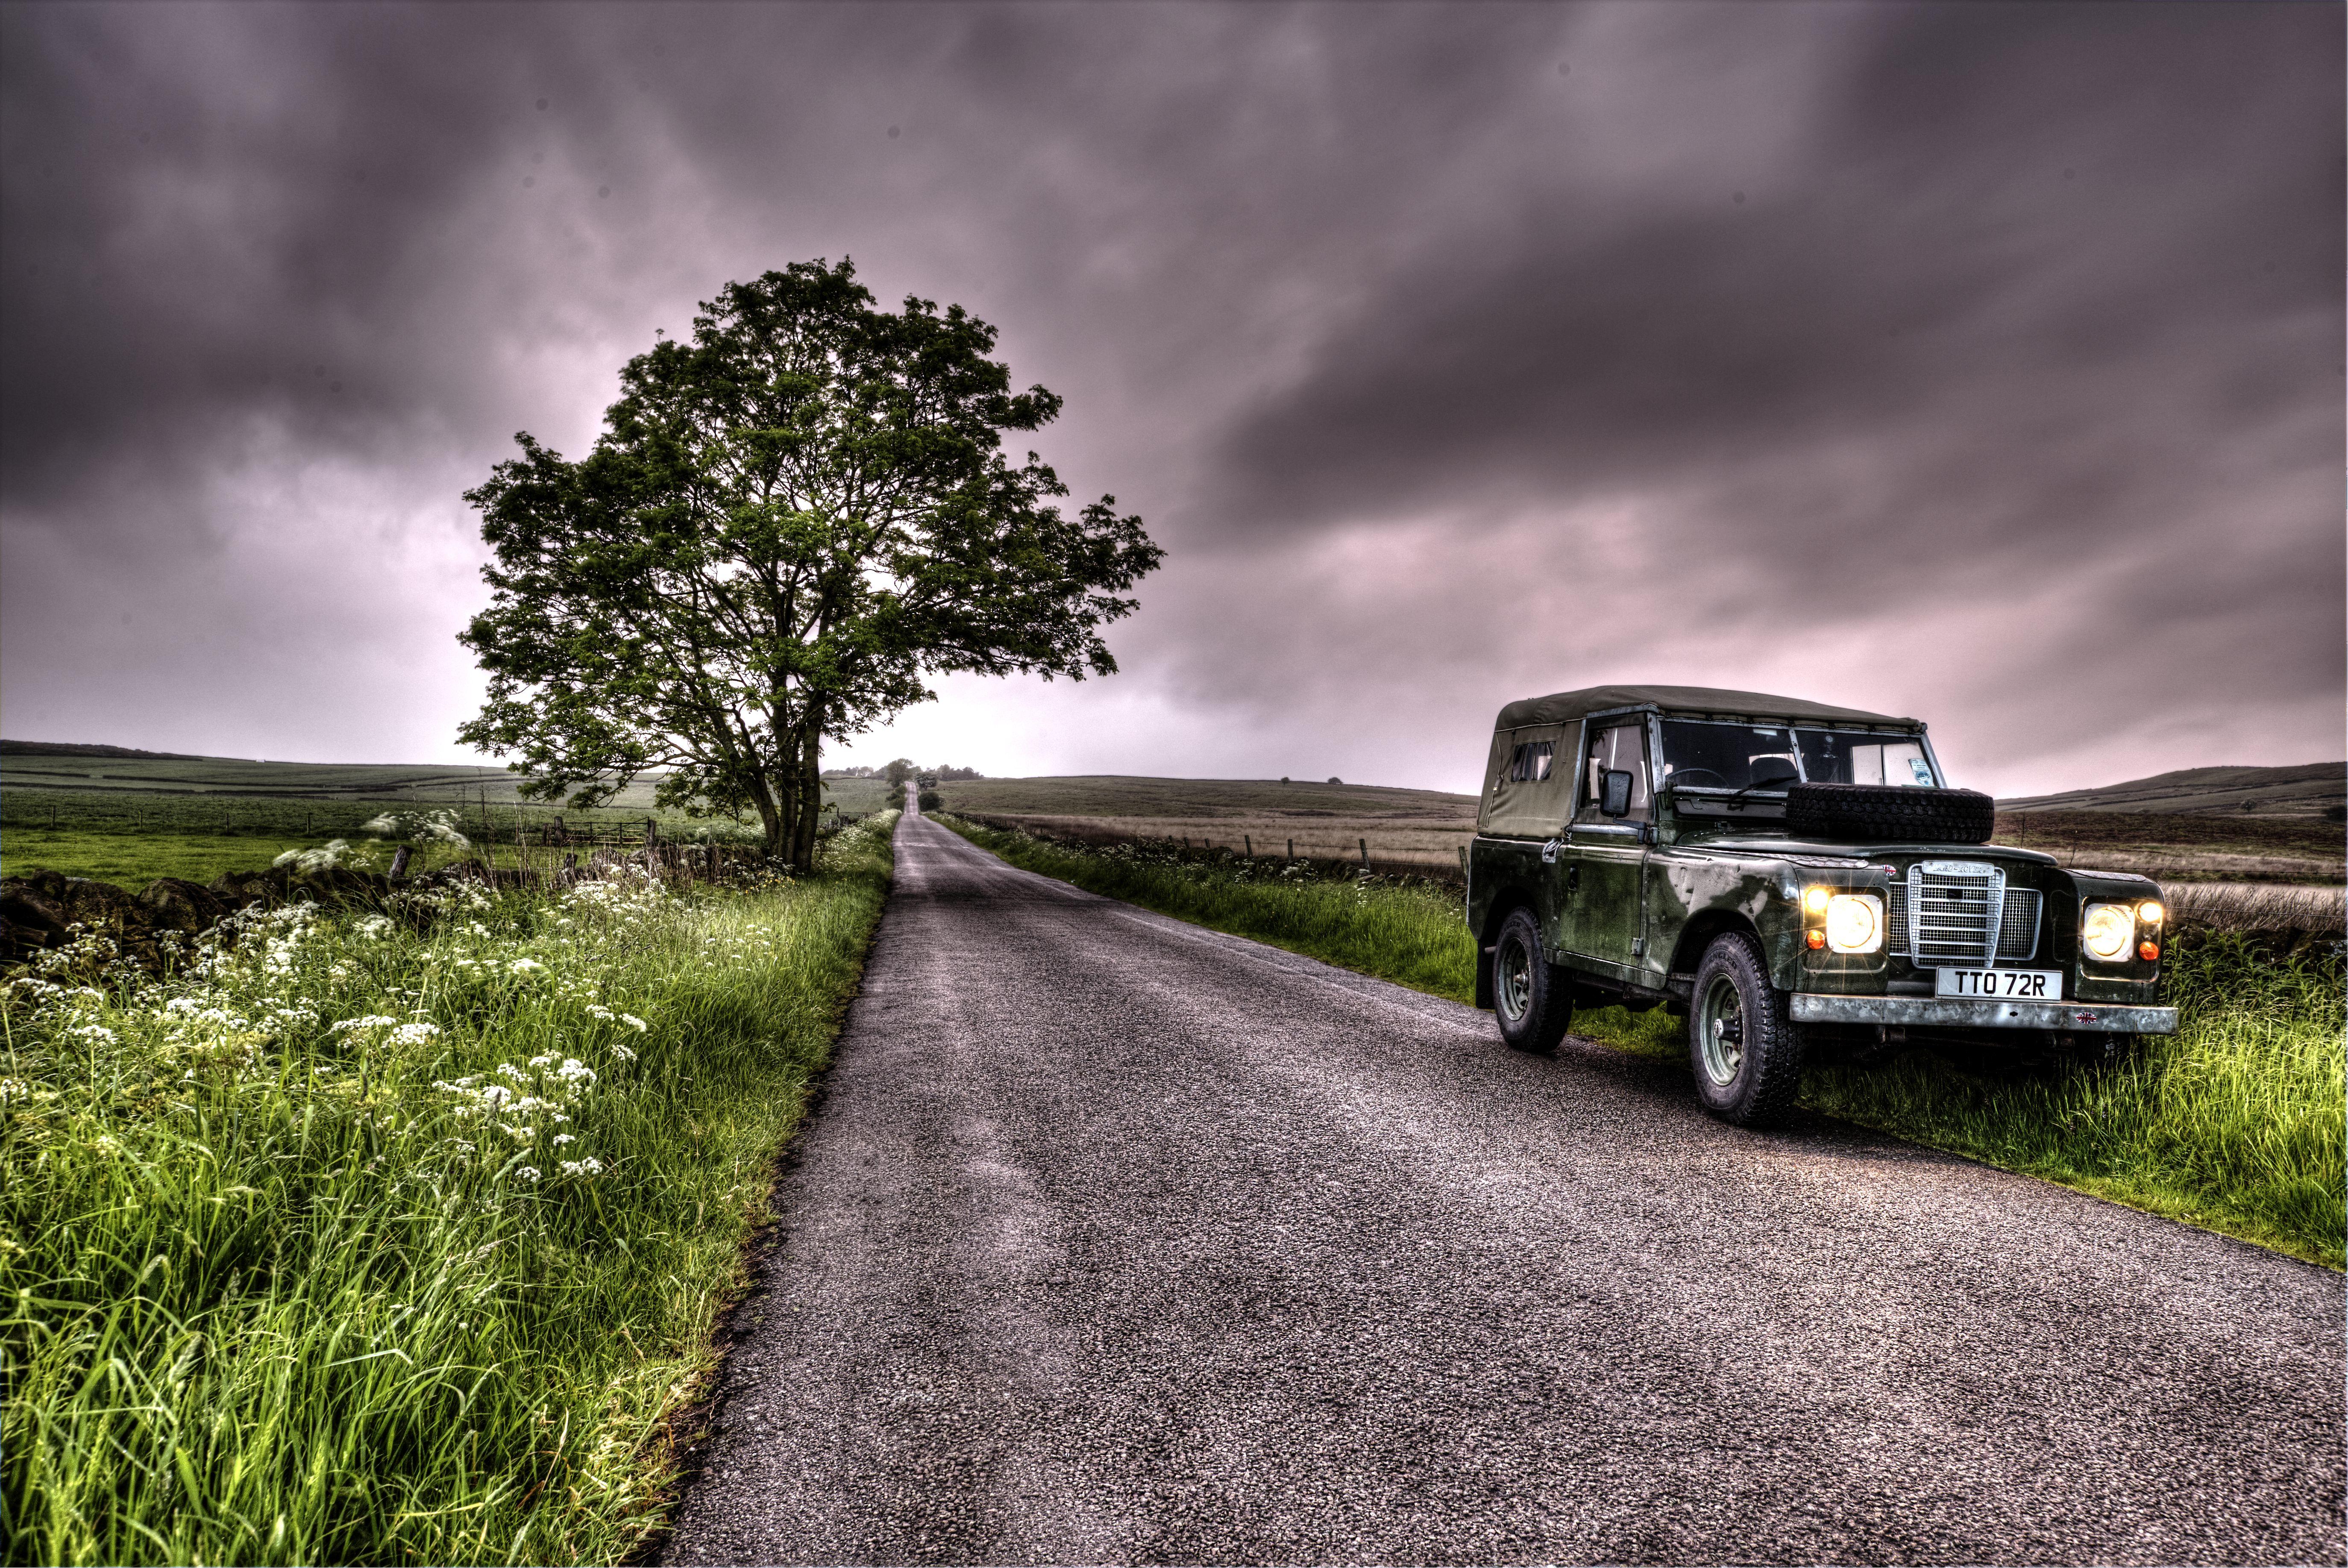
2239,1123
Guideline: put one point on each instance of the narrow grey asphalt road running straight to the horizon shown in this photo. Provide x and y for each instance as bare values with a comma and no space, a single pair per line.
1119,1241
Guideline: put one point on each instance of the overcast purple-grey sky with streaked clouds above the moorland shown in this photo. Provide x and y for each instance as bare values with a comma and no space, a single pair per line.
1955,360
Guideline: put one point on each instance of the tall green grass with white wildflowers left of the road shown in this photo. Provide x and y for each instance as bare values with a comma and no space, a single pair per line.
396,1238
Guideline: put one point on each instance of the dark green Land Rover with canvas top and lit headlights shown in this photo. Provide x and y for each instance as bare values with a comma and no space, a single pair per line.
1788,877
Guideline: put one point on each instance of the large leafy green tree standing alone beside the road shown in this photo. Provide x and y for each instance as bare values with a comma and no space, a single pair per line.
790,522
